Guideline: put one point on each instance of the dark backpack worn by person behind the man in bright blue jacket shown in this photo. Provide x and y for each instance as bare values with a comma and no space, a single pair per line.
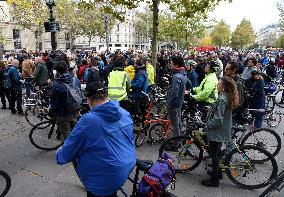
74,96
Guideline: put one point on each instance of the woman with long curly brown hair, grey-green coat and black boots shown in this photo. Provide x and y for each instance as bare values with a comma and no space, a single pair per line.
219,125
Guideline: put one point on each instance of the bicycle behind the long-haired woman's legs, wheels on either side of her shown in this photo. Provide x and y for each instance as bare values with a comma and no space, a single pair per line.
238,163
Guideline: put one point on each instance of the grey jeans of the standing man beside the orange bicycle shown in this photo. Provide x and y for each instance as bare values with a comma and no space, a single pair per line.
175,118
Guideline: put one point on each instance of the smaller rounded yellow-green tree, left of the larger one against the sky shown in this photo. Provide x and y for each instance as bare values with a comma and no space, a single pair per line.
221,34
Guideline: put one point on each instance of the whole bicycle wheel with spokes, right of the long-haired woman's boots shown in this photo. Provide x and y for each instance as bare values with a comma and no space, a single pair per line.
244,170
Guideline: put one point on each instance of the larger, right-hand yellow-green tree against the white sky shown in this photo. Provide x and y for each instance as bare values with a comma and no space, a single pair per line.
243,35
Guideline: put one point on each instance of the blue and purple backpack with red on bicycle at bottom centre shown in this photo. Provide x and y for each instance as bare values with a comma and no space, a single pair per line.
156,180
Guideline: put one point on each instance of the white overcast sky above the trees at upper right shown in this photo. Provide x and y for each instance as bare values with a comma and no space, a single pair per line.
259,12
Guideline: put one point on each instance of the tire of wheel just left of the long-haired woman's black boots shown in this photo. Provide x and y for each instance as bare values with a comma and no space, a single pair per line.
183,140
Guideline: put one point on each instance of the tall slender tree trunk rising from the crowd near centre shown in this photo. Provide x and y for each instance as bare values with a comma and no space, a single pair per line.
155,34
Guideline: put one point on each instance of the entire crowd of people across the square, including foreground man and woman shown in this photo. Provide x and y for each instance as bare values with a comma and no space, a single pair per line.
102,141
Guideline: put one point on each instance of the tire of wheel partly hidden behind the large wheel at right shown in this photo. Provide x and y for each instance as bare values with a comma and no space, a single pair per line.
277,137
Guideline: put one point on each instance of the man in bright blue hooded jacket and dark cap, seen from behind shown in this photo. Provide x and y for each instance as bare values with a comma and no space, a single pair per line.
102,144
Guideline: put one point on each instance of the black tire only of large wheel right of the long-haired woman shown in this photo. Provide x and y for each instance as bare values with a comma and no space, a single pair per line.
244,185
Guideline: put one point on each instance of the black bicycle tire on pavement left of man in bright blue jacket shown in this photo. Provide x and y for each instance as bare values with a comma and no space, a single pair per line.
52,124
